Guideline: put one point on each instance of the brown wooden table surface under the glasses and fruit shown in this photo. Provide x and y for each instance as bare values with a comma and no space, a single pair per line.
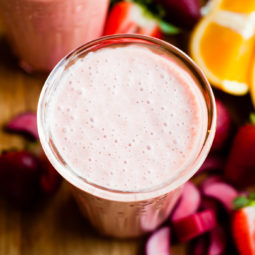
56,226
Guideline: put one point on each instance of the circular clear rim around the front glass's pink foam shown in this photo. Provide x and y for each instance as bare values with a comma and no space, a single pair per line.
80,182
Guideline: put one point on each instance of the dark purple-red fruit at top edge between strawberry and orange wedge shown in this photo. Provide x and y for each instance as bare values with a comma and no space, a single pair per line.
183,13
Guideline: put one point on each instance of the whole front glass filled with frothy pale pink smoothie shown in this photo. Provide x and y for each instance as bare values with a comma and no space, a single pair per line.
126,123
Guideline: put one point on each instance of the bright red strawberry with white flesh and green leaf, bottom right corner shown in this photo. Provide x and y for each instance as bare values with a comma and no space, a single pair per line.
243,226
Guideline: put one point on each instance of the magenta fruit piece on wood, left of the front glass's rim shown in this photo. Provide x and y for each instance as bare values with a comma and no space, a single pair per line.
24,123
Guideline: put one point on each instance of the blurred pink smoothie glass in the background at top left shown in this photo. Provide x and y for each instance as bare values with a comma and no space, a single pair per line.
41,32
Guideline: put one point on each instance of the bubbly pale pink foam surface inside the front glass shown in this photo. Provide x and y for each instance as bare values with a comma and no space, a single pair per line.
128,118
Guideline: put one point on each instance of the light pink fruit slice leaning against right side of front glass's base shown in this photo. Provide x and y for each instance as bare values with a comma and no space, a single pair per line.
189,202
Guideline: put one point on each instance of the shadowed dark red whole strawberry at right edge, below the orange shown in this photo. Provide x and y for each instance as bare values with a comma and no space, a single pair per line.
240,166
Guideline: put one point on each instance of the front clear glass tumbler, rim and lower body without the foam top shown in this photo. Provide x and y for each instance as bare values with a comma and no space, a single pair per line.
118,213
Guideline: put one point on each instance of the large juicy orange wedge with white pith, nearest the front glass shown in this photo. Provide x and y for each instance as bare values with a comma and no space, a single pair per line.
222,45
